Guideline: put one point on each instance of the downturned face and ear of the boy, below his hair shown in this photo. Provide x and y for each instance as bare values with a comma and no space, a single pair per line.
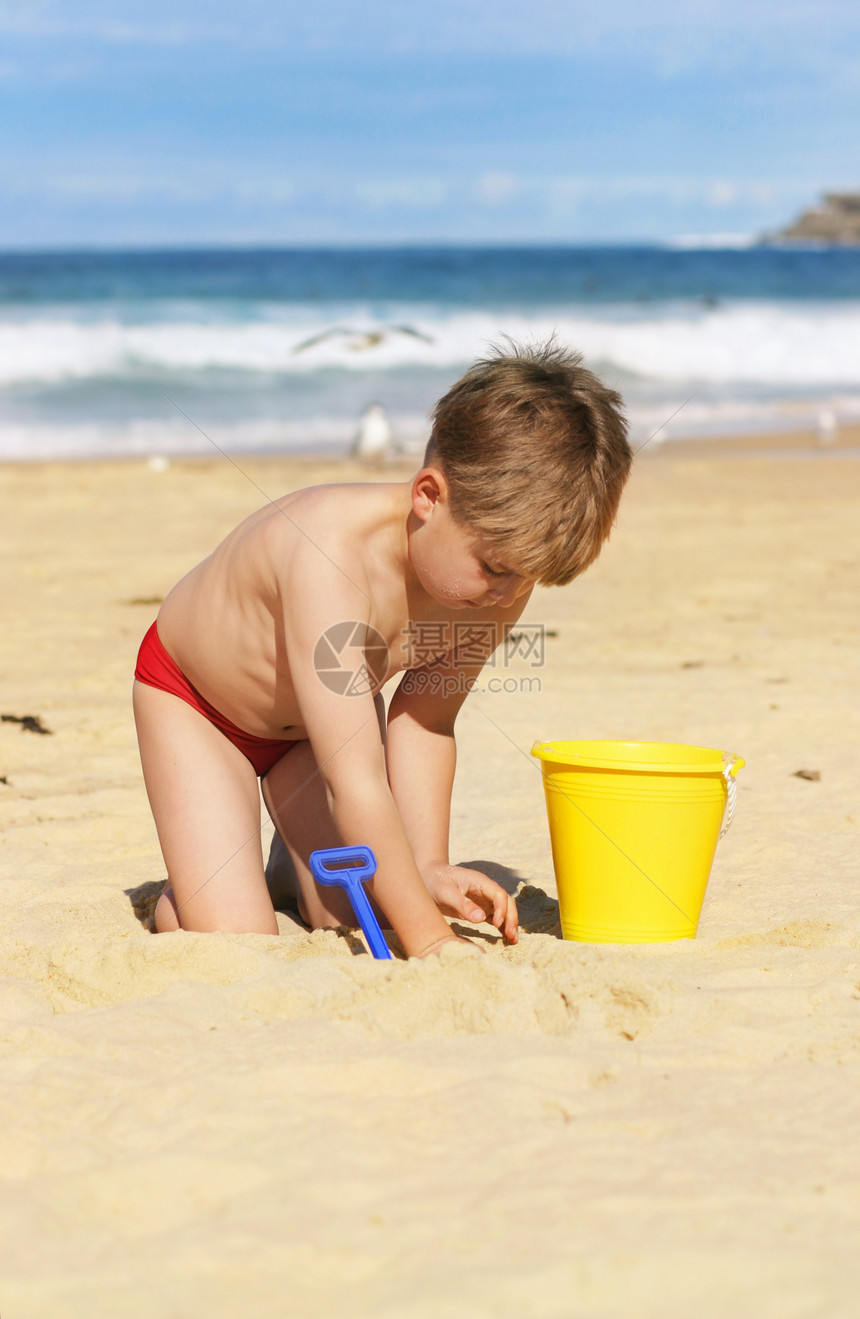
453,564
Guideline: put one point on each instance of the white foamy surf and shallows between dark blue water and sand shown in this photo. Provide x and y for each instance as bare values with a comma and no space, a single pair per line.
76,384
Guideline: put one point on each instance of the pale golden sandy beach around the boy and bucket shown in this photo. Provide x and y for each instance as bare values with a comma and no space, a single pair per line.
250,1126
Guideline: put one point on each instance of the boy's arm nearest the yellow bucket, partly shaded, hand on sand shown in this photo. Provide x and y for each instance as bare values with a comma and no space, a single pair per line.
421,763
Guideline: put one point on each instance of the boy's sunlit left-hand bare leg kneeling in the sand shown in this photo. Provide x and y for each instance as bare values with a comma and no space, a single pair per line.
205,801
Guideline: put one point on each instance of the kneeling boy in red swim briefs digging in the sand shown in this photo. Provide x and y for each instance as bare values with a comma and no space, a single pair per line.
268,658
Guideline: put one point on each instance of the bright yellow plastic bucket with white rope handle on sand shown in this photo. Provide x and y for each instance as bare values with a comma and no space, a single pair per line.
635,828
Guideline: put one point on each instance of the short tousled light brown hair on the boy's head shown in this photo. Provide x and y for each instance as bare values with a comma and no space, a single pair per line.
536,456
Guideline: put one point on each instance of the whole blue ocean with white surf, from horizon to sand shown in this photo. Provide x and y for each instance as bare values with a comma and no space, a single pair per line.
114,354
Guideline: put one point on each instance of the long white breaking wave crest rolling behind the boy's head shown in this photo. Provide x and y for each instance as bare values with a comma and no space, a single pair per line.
759,345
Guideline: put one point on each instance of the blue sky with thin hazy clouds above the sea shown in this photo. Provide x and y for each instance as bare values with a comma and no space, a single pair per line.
456,121
